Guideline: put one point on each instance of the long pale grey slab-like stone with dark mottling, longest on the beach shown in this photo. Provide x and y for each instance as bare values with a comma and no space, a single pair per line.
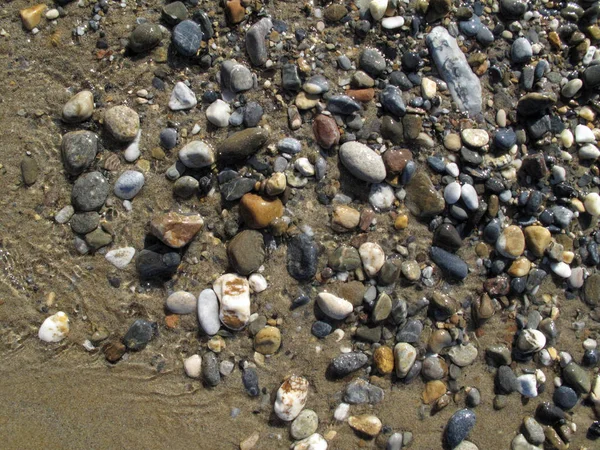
454,69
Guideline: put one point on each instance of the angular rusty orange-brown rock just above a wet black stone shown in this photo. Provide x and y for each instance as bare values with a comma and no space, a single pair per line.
176,230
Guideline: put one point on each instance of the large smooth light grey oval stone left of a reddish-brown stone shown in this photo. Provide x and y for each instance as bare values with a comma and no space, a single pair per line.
362,162
